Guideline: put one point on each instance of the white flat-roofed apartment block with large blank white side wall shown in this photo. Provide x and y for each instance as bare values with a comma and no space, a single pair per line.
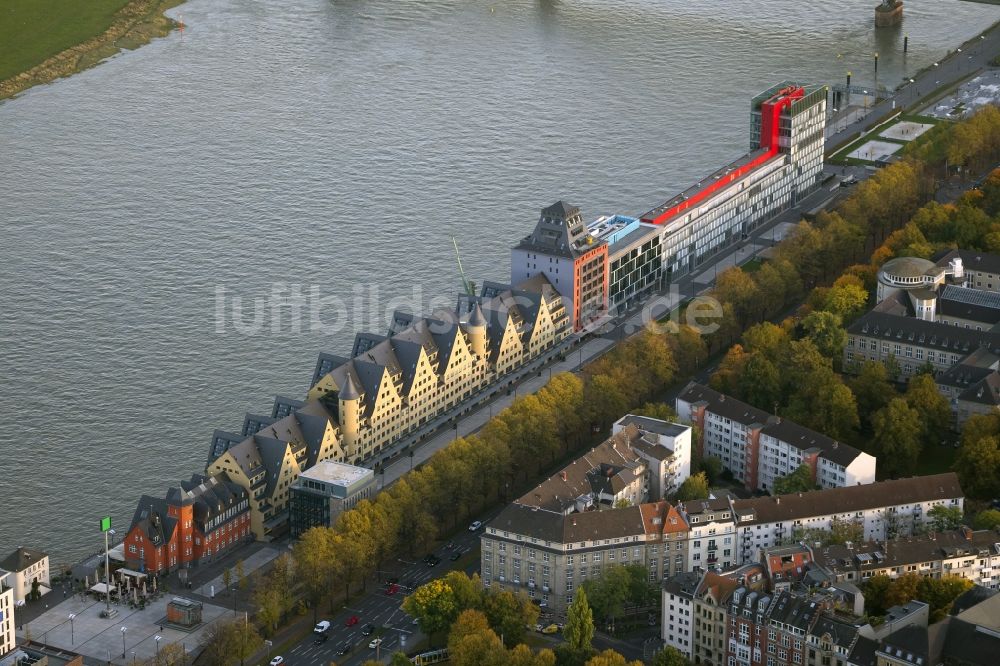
666,448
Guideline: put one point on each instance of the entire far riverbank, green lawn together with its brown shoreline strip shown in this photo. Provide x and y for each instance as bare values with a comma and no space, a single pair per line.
48,39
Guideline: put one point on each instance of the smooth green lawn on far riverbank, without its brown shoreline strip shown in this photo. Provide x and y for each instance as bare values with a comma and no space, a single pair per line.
33,30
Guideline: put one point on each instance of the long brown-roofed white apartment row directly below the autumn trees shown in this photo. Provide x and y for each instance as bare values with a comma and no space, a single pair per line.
758,448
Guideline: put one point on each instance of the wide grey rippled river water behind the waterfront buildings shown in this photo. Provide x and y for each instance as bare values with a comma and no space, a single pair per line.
337,146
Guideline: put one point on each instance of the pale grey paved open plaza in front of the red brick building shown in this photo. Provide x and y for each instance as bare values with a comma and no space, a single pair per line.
100,639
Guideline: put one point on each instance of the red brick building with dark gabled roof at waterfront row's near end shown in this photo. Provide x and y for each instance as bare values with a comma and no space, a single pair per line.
203,519
